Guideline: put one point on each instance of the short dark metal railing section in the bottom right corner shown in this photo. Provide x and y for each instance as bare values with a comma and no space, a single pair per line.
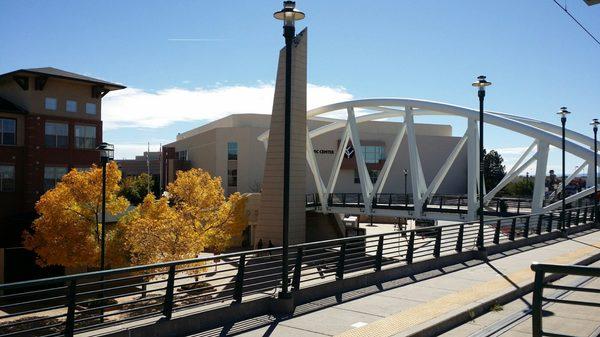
539,285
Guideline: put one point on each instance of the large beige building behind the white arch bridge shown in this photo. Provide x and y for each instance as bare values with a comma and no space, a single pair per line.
229,148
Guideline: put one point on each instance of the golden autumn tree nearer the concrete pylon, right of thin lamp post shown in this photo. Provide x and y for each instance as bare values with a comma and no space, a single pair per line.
195,216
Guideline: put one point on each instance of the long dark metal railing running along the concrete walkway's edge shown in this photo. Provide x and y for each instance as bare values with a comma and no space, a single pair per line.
75,303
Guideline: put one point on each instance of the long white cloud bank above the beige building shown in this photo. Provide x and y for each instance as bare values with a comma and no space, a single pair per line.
133,107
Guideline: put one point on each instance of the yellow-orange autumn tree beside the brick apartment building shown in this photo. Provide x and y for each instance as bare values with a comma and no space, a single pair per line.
68,229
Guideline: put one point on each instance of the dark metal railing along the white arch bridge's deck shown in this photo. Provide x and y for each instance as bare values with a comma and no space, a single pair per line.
437,203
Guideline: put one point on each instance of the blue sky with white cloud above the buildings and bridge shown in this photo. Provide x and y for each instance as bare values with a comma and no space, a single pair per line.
537,58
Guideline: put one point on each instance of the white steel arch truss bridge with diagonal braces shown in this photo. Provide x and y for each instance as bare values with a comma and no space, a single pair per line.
423,202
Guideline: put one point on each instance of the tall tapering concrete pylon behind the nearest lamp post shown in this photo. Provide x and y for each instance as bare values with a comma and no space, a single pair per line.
270,216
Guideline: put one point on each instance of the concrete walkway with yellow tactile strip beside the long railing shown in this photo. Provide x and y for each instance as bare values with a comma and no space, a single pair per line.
424,303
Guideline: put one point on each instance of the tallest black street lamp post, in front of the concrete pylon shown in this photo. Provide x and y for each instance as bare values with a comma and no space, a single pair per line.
289,14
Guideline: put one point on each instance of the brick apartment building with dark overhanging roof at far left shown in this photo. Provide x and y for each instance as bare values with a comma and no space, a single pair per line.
50,122
